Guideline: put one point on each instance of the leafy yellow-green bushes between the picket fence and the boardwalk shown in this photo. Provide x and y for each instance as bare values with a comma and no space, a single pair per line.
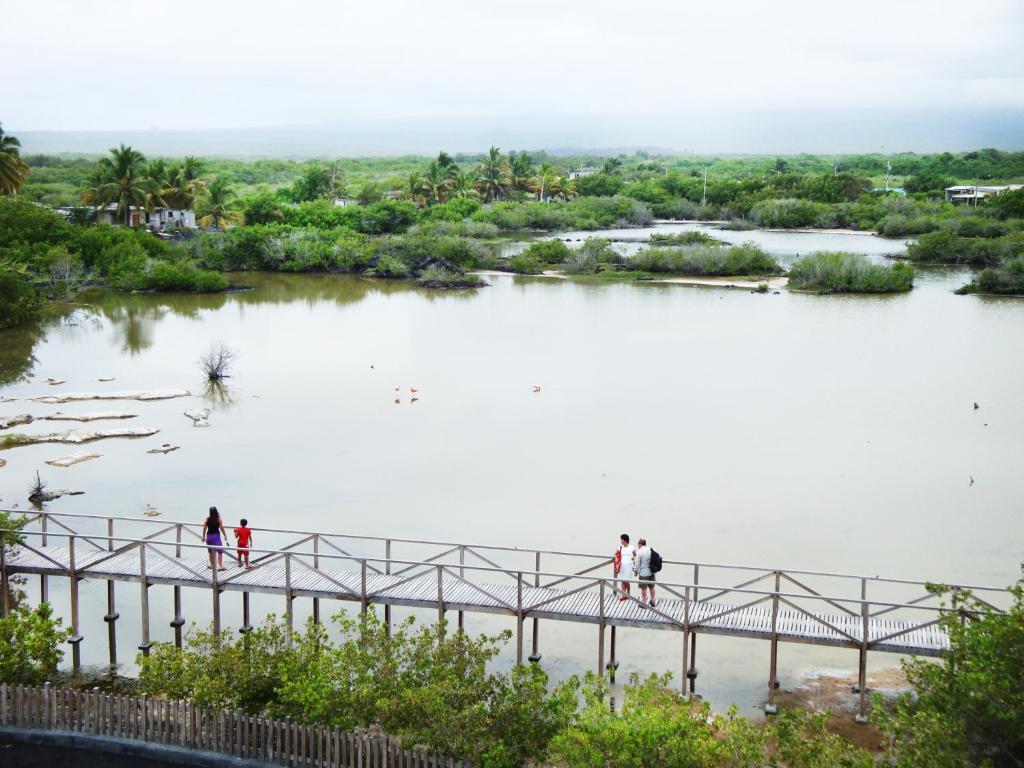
421,687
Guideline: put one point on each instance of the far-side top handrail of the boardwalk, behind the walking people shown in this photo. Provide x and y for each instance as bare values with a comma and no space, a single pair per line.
499,548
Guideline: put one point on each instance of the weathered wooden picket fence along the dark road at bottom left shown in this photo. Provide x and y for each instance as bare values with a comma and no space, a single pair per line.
183,724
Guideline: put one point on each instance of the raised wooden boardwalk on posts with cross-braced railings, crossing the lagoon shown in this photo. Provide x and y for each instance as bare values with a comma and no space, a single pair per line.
866,614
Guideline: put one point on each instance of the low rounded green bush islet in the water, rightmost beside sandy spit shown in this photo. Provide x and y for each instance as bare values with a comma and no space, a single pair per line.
836,272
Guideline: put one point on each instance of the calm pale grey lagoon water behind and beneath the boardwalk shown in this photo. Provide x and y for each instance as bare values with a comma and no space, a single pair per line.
820,433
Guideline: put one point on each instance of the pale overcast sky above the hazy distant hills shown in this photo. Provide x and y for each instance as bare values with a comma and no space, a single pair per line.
672,74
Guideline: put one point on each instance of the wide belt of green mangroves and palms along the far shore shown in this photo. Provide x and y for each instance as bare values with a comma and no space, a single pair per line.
437,221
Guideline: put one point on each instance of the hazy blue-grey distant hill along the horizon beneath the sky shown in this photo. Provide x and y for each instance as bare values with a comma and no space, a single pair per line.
737,133
